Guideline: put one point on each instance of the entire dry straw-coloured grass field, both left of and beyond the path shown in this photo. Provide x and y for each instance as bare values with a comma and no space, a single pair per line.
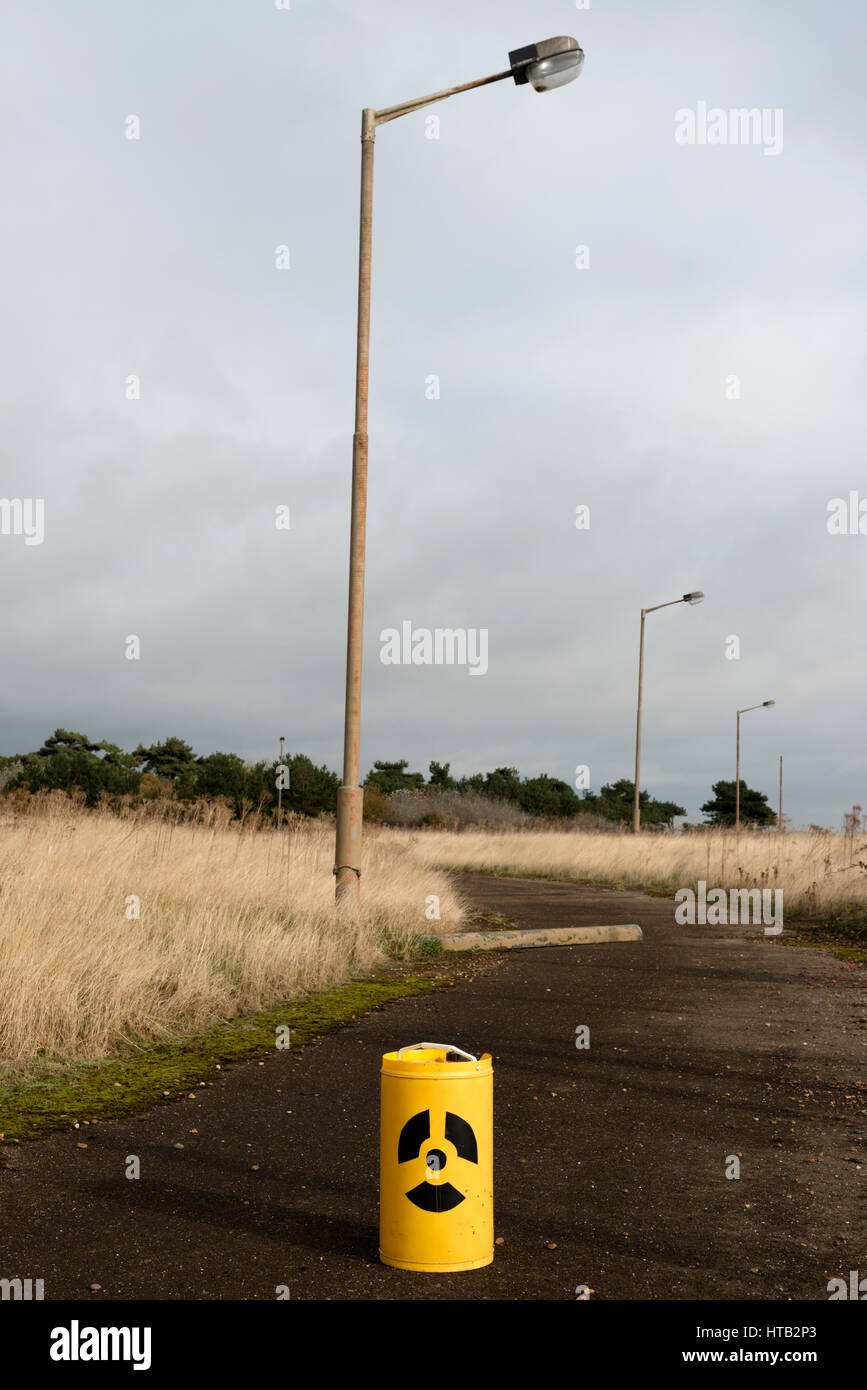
236,919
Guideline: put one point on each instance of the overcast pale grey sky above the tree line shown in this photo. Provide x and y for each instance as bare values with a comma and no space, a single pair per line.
608,387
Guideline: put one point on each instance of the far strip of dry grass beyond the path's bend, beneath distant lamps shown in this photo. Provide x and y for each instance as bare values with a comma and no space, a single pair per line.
818,872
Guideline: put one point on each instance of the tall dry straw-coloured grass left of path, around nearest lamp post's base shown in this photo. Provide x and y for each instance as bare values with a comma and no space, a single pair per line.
231,922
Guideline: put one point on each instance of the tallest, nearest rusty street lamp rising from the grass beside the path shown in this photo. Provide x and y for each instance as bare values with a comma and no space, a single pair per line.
544,66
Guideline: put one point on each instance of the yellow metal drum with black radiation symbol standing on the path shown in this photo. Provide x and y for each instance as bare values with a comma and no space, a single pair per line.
437,1160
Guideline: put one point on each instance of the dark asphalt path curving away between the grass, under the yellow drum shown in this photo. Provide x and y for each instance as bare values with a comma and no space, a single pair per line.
611,1161
